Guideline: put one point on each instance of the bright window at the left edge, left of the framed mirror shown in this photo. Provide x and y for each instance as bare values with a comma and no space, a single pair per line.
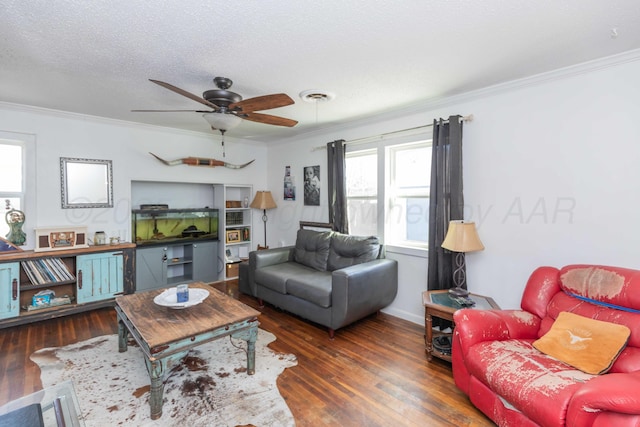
12,155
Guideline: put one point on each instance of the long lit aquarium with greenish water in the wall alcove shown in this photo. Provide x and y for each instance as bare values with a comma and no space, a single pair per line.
158,224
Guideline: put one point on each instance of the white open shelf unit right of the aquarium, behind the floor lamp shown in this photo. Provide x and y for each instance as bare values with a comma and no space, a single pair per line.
236,221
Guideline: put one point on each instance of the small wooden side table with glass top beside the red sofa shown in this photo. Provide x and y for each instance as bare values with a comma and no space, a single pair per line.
439,304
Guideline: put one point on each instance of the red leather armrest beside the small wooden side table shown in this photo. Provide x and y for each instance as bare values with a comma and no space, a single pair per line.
474,326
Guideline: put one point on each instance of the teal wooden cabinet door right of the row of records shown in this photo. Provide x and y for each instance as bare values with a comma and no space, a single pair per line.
99,276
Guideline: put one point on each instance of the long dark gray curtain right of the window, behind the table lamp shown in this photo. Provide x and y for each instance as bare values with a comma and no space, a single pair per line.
446,199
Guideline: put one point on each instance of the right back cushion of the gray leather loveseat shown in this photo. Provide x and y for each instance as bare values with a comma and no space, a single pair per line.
349,250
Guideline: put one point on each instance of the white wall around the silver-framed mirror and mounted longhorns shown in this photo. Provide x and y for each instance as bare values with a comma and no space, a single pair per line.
59,134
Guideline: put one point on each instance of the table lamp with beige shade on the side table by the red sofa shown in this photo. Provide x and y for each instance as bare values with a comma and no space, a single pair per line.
461,237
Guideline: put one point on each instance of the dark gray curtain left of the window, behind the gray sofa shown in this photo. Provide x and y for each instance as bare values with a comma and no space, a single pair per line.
337,183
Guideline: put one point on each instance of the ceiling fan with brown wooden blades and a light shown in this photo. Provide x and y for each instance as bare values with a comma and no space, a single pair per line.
227,109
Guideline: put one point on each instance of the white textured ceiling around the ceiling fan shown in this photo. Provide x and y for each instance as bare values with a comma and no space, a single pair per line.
95,57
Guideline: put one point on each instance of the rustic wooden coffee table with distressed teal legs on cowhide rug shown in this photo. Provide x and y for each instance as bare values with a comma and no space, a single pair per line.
165,334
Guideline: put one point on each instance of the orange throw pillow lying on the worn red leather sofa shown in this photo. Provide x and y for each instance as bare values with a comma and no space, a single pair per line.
584,343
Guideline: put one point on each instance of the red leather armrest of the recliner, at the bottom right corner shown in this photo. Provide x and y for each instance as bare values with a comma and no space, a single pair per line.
605,396
